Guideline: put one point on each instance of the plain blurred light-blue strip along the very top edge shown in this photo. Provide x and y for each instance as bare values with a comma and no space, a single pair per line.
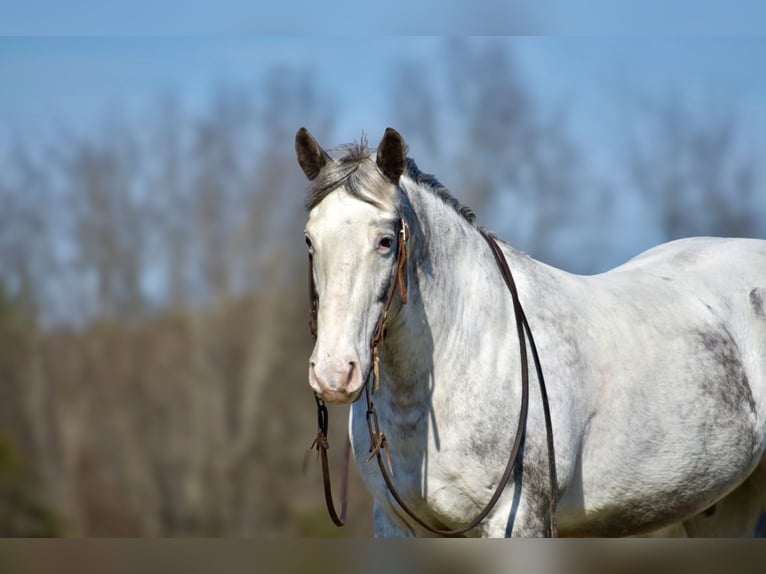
586,17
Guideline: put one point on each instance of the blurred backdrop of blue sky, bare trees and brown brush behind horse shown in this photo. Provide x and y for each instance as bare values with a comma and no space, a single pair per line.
153,304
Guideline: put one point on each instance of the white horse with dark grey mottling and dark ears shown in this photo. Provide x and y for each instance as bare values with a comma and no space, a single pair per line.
655,371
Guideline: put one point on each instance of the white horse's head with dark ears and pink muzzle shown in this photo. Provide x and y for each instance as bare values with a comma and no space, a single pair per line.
355,235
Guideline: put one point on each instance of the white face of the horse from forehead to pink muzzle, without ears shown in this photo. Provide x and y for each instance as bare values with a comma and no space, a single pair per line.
354,252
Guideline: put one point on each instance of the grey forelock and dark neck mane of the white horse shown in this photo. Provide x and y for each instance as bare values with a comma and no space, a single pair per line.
355,168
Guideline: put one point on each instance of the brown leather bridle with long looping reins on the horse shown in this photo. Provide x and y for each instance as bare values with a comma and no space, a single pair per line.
378,443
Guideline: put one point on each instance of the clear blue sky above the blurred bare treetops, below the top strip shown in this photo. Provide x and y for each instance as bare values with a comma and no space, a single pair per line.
49,83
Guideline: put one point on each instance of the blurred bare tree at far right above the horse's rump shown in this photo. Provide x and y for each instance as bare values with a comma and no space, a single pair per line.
694,171
